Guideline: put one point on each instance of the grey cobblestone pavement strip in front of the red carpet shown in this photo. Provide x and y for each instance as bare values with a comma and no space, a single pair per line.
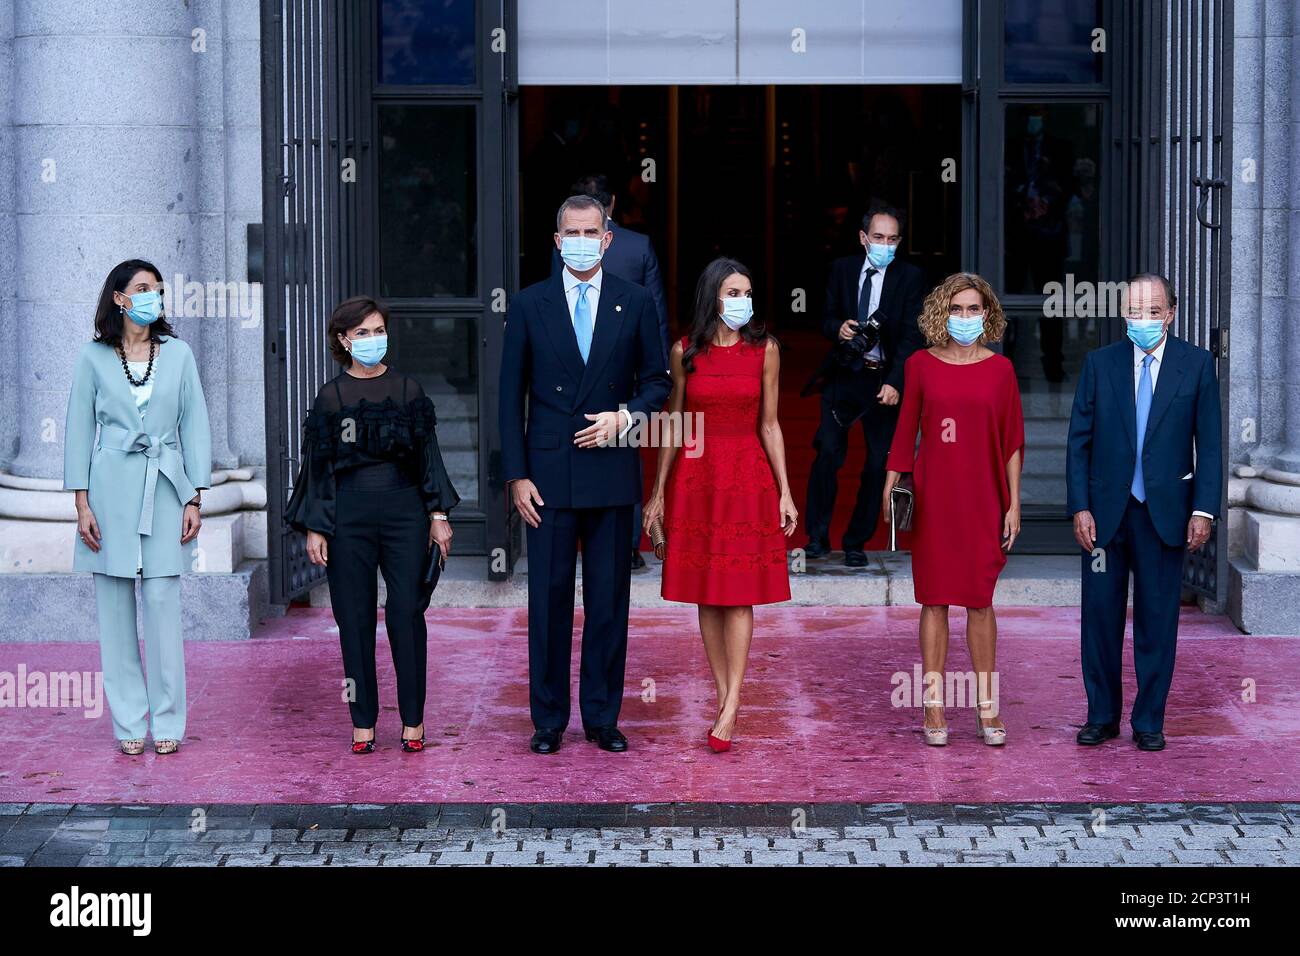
651,836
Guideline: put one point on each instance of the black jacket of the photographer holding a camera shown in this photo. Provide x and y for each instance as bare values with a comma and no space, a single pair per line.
900,309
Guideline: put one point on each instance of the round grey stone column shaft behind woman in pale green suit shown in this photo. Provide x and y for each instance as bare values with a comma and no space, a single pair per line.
107,170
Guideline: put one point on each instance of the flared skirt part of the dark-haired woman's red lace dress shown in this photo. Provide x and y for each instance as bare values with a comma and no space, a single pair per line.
723,527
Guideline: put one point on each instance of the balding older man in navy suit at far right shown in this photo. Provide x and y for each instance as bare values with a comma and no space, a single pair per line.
1145,483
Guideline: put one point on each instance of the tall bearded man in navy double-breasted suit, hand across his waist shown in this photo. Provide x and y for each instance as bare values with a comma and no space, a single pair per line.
584,349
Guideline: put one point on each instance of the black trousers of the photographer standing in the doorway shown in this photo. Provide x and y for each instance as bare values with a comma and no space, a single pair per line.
847,395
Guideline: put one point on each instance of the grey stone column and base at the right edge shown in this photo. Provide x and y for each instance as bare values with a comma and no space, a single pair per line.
1264,578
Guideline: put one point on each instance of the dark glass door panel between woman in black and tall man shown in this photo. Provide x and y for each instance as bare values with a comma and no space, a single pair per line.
440,120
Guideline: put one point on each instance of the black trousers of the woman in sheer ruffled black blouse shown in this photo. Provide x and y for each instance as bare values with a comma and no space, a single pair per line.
384,530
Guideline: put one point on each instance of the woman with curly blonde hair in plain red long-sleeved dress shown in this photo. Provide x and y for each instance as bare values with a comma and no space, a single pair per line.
965,401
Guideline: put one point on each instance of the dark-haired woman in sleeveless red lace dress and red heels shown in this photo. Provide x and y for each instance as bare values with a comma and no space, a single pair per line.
729,500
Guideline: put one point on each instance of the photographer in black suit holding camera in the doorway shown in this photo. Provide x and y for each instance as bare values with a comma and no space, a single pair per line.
873,304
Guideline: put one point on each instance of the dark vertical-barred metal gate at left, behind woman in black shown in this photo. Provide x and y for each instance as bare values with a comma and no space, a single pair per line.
310,248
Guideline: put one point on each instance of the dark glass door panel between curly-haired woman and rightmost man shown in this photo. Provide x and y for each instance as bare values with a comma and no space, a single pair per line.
1038,88
